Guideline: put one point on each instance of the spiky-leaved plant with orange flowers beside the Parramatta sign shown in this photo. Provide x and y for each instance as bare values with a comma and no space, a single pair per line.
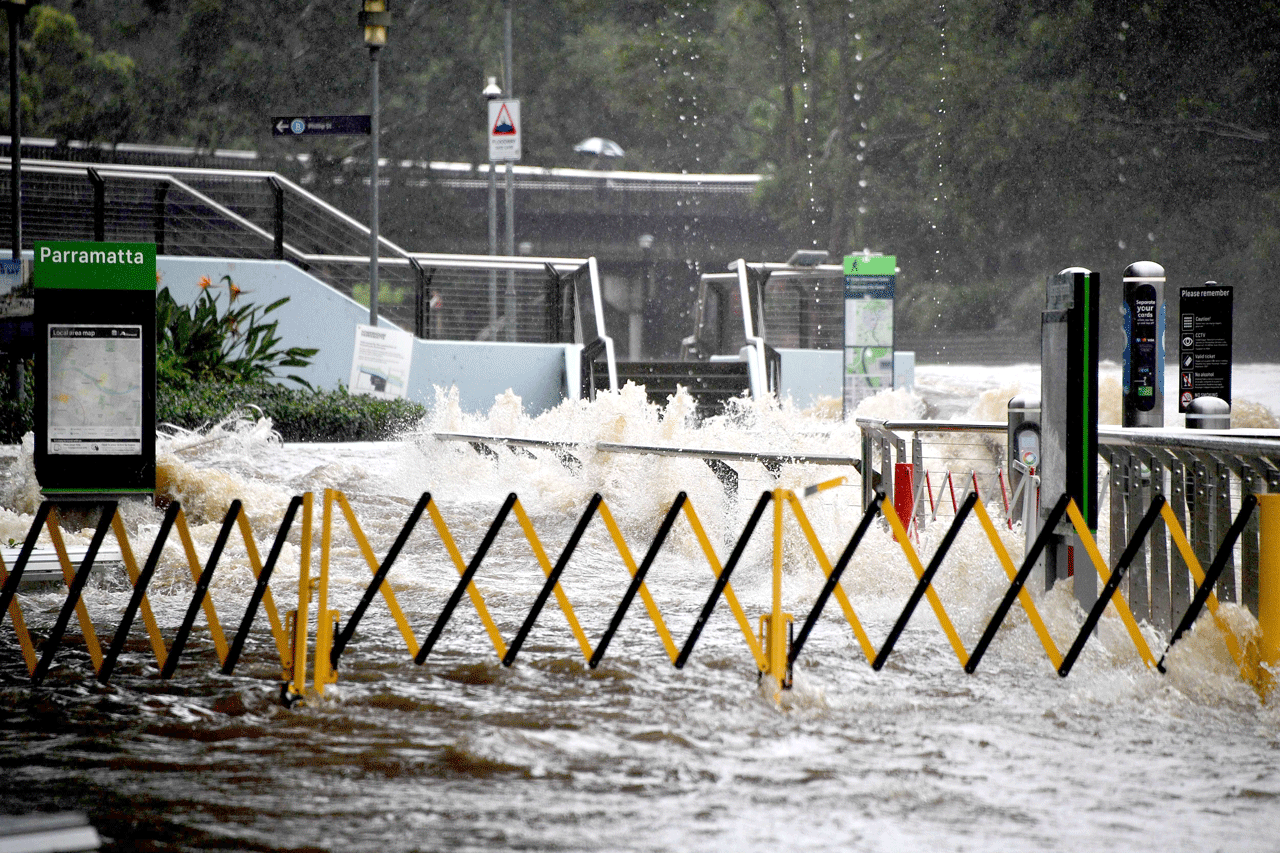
237,345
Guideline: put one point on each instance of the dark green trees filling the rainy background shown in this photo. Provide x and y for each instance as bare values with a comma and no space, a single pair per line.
989,142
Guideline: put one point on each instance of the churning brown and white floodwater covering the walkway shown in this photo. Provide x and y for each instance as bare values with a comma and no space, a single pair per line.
464,754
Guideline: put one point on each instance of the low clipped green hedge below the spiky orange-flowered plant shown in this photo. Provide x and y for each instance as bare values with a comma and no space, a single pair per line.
298,414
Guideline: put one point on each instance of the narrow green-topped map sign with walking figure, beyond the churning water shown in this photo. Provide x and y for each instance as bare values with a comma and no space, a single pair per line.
870,281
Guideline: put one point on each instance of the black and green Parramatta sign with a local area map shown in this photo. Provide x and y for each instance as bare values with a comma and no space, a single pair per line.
95,370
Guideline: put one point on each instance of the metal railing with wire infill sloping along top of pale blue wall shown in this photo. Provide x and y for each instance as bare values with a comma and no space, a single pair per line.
230,213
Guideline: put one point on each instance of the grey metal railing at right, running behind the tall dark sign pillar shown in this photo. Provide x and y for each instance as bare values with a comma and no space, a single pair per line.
1205,478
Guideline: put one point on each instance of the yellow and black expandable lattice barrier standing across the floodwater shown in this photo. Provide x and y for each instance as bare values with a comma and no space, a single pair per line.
772,646
